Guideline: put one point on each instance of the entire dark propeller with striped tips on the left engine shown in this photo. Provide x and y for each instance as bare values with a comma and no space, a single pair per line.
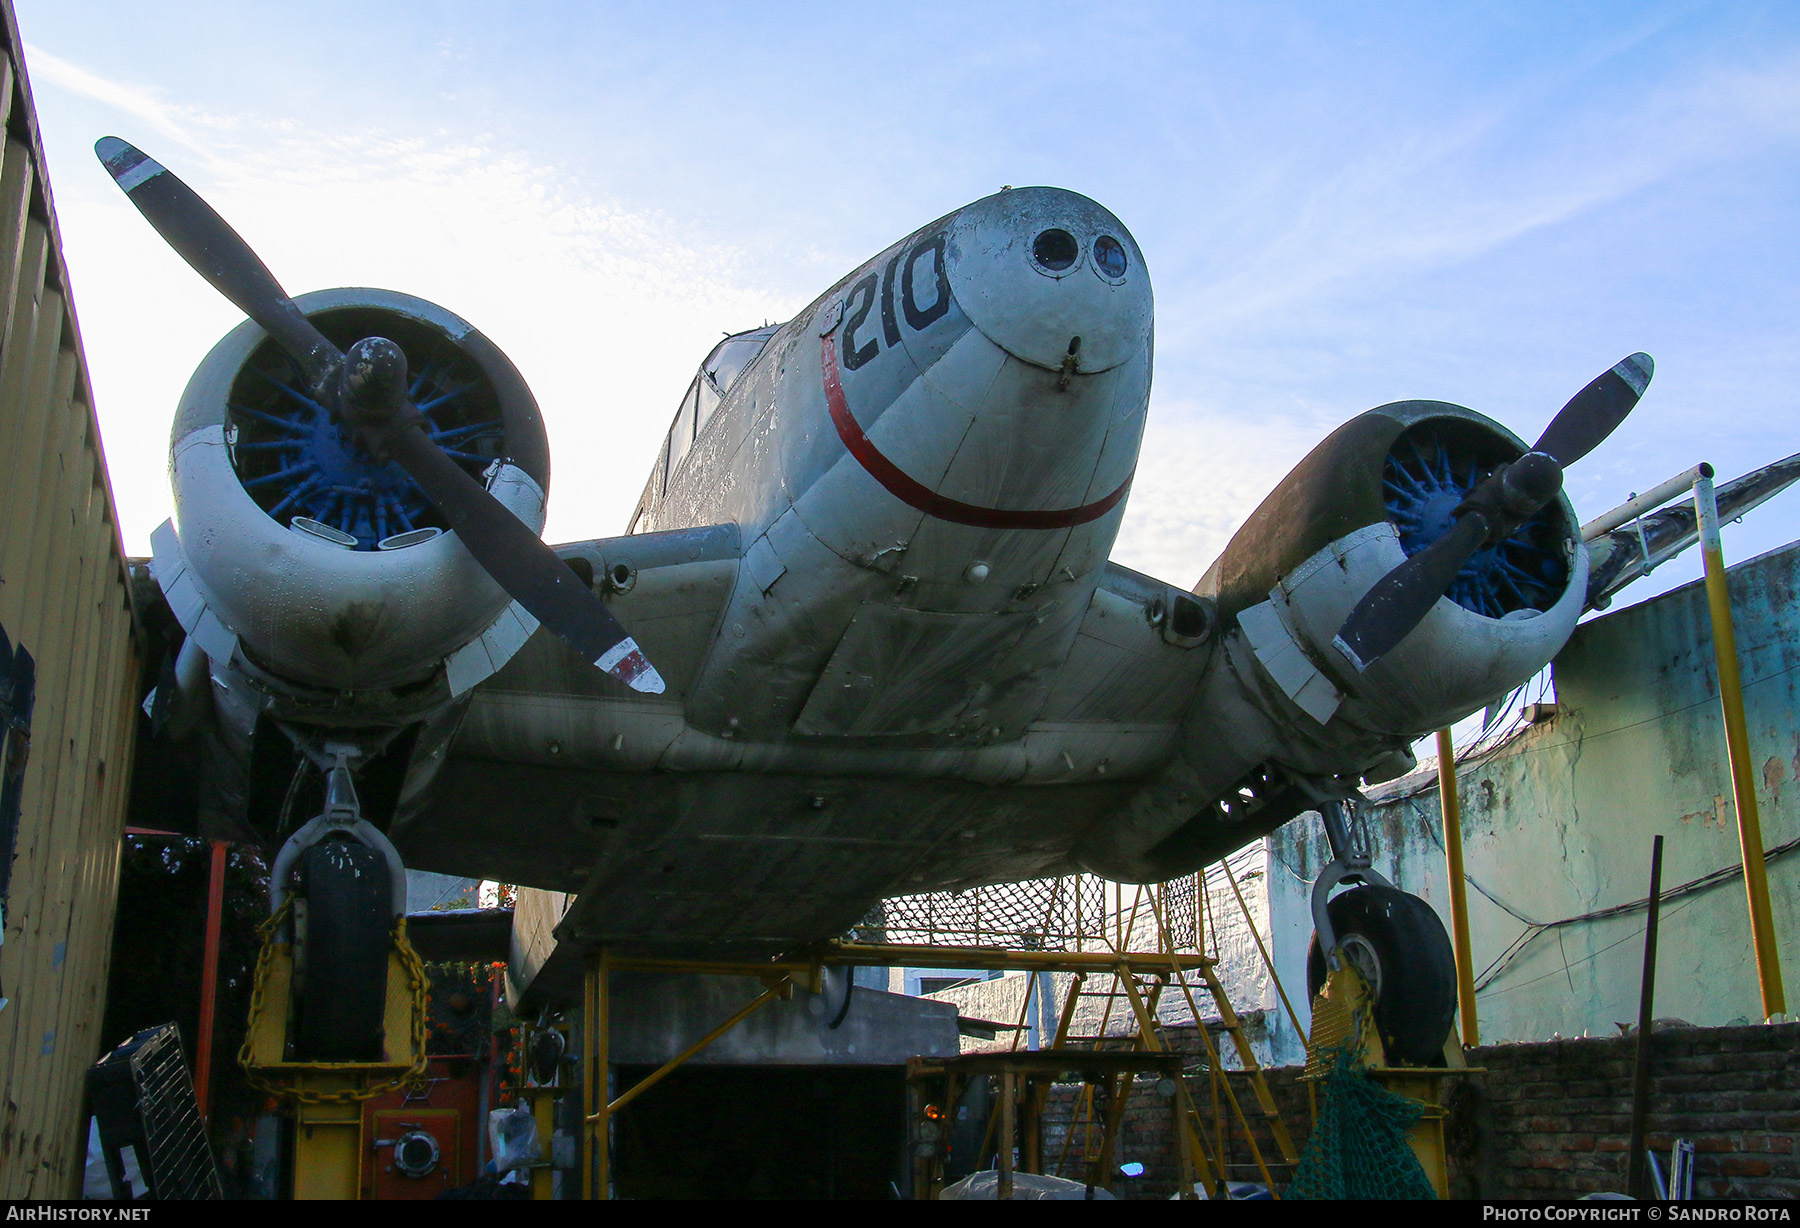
368,392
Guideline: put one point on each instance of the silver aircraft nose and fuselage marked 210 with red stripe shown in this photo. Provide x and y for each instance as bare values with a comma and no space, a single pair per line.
931,460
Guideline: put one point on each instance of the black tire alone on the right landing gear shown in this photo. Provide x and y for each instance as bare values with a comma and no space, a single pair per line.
1401,946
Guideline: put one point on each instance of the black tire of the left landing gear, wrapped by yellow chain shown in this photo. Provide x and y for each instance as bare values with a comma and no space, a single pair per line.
348,923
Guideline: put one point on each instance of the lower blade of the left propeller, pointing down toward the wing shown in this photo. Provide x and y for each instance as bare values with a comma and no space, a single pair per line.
523,564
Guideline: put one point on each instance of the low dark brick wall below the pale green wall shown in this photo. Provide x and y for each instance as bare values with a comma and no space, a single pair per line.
1540,1121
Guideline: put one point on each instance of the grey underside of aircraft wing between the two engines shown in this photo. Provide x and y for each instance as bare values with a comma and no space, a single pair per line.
562,781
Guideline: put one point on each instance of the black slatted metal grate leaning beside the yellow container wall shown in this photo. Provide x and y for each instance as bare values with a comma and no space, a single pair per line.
143,1099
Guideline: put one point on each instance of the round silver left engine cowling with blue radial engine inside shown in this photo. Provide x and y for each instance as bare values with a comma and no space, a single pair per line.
327,570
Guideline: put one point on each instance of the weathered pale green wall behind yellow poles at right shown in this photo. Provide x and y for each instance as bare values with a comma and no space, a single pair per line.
1558,824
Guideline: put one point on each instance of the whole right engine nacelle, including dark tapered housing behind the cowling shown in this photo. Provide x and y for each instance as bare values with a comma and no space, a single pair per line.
1282,719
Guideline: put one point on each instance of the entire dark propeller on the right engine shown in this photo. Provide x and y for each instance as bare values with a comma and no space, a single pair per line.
1491,514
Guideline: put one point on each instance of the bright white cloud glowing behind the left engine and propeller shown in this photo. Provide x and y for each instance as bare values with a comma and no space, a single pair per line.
606,311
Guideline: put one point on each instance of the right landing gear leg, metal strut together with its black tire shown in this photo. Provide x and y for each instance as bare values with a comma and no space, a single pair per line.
1392,939
